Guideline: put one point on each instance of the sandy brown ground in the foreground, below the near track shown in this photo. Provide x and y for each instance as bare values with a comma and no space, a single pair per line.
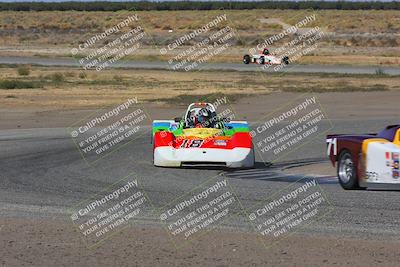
50,243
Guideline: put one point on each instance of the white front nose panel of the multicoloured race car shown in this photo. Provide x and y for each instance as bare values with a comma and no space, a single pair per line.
238,157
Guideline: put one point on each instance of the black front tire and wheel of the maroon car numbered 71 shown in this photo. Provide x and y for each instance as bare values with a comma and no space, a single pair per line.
346,171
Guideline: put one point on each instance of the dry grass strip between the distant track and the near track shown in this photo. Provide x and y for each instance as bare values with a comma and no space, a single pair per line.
113,86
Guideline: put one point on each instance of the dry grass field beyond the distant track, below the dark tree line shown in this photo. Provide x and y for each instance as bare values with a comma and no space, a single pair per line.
356,39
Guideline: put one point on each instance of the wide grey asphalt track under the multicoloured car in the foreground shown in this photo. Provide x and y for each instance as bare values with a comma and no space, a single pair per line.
43,175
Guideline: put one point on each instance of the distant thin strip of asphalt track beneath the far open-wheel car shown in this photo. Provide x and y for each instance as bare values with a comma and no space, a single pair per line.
343,69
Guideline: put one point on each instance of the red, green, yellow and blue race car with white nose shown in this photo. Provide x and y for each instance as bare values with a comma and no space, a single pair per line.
201,137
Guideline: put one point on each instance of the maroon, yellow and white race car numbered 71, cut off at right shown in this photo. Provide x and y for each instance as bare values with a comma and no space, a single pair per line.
367,161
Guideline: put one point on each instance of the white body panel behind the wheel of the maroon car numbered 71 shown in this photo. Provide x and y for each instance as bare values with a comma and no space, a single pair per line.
382,163
